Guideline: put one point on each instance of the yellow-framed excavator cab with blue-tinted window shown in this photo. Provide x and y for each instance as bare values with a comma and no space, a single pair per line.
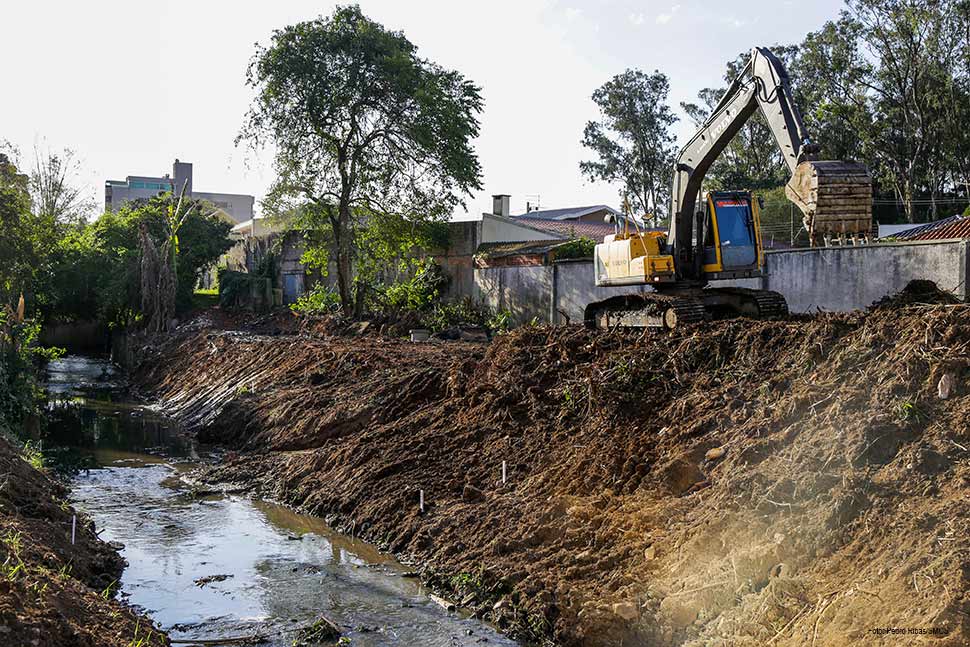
732,236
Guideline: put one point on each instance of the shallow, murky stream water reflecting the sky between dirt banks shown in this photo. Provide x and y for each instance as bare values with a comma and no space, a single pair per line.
223,567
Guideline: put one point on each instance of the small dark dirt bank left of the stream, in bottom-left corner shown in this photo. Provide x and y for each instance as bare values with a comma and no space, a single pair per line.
52,591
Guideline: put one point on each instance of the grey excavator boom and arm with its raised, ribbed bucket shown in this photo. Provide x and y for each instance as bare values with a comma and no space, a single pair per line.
819,188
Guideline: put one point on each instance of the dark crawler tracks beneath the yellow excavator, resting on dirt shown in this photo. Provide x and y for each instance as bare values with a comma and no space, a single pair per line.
668,311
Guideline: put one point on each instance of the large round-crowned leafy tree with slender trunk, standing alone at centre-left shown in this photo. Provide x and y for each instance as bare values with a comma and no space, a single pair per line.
361,125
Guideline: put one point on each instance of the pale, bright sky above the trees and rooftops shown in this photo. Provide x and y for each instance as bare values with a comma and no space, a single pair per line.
130,86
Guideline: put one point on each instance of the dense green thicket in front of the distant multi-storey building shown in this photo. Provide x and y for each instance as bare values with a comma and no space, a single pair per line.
69,269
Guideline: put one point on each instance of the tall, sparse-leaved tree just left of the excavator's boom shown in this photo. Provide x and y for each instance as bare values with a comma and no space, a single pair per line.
632,140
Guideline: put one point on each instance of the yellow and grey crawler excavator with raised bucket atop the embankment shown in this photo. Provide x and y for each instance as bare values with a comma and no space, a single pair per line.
717,236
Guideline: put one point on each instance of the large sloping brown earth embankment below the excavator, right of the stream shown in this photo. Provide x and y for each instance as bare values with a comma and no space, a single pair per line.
738,483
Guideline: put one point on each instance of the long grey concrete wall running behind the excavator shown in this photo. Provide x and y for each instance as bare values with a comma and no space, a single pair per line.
834,279
